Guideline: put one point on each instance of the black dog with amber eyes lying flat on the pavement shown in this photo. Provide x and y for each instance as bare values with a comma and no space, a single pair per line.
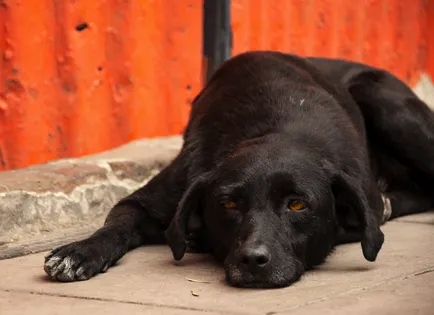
283,158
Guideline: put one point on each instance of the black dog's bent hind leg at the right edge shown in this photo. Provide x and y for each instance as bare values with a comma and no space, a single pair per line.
400,129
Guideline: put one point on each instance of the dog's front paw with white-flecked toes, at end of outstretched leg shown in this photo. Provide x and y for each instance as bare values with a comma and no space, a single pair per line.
76,261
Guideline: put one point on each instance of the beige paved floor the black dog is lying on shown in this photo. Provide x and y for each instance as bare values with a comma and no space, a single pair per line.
147,281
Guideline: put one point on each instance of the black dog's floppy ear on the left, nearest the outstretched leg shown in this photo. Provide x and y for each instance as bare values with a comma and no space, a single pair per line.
190,202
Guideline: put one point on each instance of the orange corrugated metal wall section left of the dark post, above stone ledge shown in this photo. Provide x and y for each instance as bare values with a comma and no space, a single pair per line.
131,73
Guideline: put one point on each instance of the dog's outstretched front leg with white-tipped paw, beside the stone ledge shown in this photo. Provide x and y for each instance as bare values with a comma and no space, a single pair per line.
140,218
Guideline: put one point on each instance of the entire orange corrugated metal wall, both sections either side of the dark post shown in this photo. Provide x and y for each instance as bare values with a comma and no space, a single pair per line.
79,77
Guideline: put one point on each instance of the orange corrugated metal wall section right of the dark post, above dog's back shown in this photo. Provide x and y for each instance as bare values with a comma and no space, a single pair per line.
388,33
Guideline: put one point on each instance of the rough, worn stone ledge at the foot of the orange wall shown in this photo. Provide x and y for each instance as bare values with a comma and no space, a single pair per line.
74,193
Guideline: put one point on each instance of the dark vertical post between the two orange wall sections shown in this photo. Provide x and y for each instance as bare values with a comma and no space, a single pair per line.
217,35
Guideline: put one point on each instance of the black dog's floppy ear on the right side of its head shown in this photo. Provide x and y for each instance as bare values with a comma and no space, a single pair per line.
351,188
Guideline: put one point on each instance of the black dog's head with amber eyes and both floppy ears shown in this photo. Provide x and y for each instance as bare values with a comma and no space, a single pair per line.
268,211
